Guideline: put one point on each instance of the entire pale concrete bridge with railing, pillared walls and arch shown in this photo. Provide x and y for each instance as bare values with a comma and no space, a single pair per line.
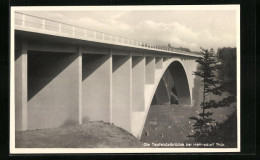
66,74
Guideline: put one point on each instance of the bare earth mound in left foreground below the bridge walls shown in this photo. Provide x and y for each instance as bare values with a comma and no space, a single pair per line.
89,135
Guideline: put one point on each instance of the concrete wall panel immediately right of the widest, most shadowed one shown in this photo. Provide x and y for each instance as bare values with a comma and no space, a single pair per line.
96,87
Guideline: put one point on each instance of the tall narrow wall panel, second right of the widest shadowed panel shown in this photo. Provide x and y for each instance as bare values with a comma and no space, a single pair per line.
121,92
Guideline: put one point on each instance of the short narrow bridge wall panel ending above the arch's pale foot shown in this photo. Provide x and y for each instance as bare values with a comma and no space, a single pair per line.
138,83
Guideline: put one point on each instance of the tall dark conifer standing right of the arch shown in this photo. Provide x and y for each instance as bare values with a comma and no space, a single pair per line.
208,67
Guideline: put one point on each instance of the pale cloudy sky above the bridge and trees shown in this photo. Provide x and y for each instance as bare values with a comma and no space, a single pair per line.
181,28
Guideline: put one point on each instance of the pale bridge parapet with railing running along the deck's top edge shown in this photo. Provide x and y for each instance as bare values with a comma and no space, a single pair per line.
26,22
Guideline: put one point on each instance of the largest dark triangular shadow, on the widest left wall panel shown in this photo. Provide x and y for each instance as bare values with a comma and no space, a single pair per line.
43,67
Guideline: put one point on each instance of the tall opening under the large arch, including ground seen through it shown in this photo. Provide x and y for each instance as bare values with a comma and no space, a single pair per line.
172,91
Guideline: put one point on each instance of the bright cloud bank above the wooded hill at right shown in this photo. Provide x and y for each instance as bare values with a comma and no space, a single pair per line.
180,35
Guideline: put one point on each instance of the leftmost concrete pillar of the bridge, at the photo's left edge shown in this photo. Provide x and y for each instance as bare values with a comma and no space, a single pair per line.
21,110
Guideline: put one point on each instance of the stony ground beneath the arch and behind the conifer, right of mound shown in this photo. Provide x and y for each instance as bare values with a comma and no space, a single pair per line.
171,123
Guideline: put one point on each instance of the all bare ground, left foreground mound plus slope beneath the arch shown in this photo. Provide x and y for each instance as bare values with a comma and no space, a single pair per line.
165,123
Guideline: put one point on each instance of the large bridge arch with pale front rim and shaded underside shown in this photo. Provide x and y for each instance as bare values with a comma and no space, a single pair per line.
177,70
